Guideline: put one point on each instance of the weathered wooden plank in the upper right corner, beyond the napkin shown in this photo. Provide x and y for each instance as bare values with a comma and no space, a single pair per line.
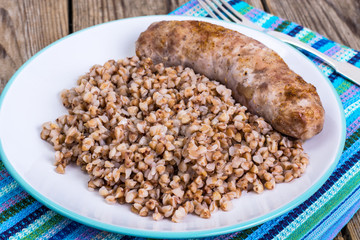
337,20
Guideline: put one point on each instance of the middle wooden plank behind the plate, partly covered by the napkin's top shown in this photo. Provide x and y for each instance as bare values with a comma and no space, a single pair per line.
87,13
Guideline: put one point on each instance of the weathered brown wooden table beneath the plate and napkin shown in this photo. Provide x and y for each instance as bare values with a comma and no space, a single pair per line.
27,26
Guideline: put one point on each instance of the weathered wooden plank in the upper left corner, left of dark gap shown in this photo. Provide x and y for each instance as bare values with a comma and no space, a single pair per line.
26,27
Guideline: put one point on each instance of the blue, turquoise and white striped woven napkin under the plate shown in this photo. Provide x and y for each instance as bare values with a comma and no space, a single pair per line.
320,217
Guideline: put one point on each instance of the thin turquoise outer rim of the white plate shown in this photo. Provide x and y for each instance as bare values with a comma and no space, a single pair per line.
156,234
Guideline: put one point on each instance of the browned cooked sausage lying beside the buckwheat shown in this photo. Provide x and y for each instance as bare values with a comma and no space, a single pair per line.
258,77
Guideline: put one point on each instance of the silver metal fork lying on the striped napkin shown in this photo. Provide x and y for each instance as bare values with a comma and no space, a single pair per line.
222,10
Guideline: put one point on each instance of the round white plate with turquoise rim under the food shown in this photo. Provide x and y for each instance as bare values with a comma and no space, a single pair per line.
32,98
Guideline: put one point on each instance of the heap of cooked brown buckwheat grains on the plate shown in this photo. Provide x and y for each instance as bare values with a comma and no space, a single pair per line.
168,141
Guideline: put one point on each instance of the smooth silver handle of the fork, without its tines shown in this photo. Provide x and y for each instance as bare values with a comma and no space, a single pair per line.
344,68
